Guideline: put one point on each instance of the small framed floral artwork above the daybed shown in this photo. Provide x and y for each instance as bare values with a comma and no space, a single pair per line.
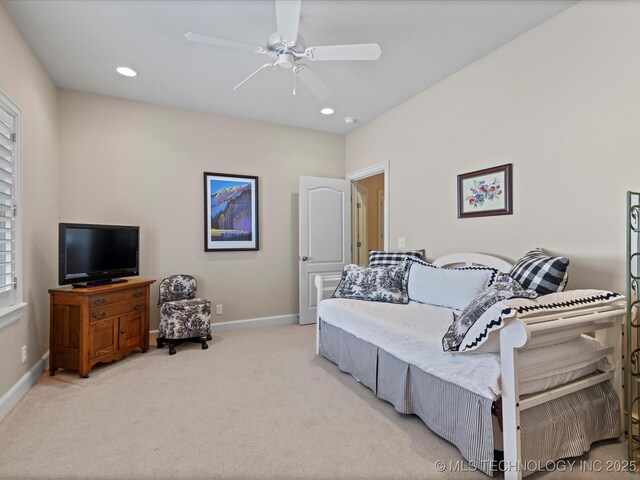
485,192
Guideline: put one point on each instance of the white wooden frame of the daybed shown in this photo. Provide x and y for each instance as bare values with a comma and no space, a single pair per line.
606,321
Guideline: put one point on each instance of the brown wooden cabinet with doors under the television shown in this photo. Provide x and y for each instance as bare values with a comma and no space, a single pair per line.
97,324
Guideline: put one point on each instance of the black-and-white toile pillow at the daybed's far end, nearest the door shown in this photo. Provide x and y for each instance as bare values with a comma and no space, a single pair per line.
375,284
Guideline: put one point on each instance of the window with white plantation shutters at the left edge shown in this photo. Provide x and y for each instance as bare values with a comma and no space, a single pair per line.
11,306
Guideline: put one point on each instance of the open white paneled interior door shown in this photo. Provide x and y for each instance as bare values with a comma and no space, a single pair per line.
325,235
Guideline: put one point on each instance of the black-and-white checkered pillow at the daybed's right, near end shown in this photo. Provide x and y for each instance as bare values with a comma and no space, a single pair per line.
540,272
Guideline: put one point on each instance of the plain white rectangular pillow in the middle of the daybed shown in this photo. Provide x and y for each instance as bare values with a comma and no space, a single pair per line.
448,287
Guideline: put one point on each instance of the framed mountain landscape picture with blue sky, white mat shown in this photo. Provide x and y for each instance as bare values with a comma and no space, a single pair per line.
230,212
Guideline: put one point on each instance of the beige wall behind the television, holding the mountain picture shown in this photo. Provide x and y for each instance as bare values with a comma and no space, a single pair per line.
126,162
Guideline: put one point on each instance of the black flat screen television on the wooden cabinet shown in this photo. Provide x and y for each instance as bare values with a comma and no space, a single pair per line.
97,254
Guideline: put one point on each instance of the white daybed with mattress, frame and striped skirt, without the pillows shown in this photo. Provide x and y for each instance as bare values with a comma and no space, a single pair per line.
537,400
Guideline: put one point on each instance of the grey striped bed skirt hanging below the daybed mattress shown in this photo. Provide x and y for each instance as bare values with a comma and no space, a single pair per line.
564,427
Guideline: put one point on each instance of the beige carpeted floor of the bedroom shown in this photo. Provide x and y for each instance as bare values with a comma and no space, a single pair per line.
258,404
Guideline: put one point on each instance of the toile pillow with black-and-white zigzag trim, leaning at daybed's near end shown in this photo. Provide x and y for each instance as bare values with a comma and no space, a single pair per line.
482,315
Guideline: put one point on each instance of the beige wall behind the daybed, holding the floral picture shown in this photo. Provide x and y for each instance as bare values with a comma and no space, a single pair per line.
562,103
